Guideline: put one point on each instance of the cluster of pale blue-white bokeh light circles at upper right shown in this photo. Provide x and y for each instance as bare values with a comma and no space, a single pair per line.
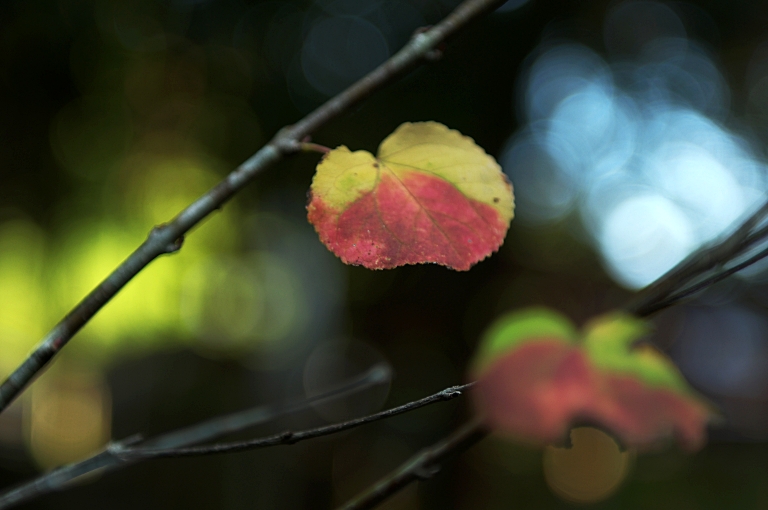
636,145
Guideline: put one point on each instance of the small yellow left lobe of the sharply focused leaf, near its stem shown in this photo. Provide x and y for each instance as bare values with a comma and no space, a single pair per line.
343,176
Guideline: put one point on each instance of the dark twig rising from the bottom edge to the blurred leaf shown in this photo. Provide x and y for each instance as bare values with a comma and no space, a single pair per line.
422,466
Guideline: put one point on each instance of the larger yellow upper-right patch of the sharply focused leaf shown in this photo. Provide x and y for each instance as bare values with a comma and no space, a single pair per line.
433,148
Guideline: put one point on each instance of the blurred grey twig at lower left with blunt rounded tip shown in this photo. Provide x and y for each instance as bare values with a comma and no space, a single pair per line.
115,455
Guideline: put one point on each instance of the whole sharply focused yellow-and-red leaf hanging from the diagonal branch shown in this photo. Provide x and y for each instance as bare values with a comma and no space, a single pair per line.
431,195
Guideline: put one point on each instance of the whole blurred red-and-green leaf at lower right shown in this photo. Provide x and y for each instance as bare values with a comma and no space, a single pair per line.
537,377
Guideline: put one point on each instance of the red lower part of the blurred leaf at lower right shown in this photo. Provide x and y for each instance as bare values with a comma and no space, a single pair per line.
538,391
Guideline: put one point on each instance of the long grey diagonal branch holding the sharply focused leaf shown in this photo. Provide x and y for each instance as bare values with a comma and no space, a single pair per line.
168,237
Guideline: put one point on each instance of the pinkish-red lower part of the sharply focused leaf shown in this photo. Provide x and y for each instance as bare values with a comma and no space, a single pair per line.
410,221
